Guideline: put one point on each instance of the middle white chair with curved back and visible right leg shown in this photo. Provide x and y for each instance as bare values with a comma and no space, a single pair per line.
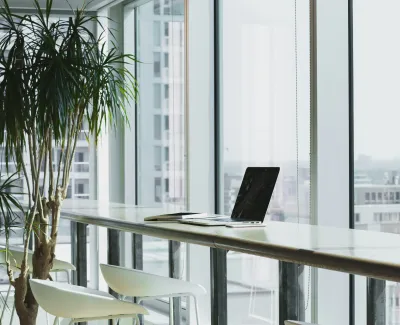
144,286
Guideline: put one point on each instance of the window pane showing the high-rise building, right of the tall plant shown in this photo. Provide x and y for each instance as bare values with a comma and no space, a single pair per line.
159,122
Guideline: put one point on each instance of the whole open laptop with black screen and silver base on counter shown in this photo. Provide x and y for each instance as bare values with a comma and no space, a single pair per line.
252,201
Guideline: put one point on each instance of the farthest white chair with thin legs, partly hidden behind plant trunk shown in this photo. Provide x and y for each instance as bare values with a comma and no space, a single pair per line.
15,256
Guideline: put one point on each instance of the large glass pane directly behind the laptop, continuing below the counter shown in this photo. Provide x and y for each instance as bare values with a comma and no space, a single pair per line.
265,121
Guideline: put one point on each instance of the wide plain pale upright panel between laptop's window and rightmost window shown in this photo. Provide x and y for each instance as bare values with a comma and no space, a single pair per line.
330,152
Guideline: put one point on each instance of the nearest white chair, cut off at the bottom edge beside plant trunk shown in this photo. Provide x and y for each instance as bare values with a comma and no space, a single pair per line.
81,304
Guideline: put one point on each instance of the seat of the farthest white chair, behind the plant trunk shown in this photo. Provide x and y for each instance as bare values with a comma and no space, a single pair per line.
16,255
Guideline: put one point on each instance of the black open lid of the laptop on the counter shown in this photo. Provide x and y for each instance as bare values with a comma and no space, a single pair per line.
255,193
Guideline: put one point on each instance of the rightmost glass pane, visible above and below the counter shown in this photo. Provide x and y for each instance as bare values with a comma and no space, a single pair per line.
376,116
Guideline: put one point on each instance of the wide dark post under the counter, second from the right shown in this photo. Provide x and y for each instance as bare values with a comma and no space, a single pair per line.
291,292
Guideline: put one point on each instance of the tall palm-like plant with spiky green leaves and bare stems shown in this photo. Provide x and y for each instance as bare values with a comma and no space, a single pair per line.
53,77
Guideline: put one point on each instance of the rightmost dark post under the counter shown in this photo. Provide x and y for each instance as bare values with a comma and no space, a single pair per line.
376,302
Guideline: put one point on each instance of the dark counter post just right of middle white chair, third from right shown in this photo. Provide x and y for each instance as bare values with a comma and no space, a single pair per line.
219,291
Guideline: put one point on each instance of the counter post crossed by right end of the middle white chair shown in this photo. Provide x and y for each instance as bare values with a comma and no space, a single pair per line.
174,253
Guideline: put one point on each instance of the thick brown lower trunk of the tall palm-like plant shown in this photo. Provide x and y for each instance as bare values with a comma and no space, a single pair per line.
25,303
